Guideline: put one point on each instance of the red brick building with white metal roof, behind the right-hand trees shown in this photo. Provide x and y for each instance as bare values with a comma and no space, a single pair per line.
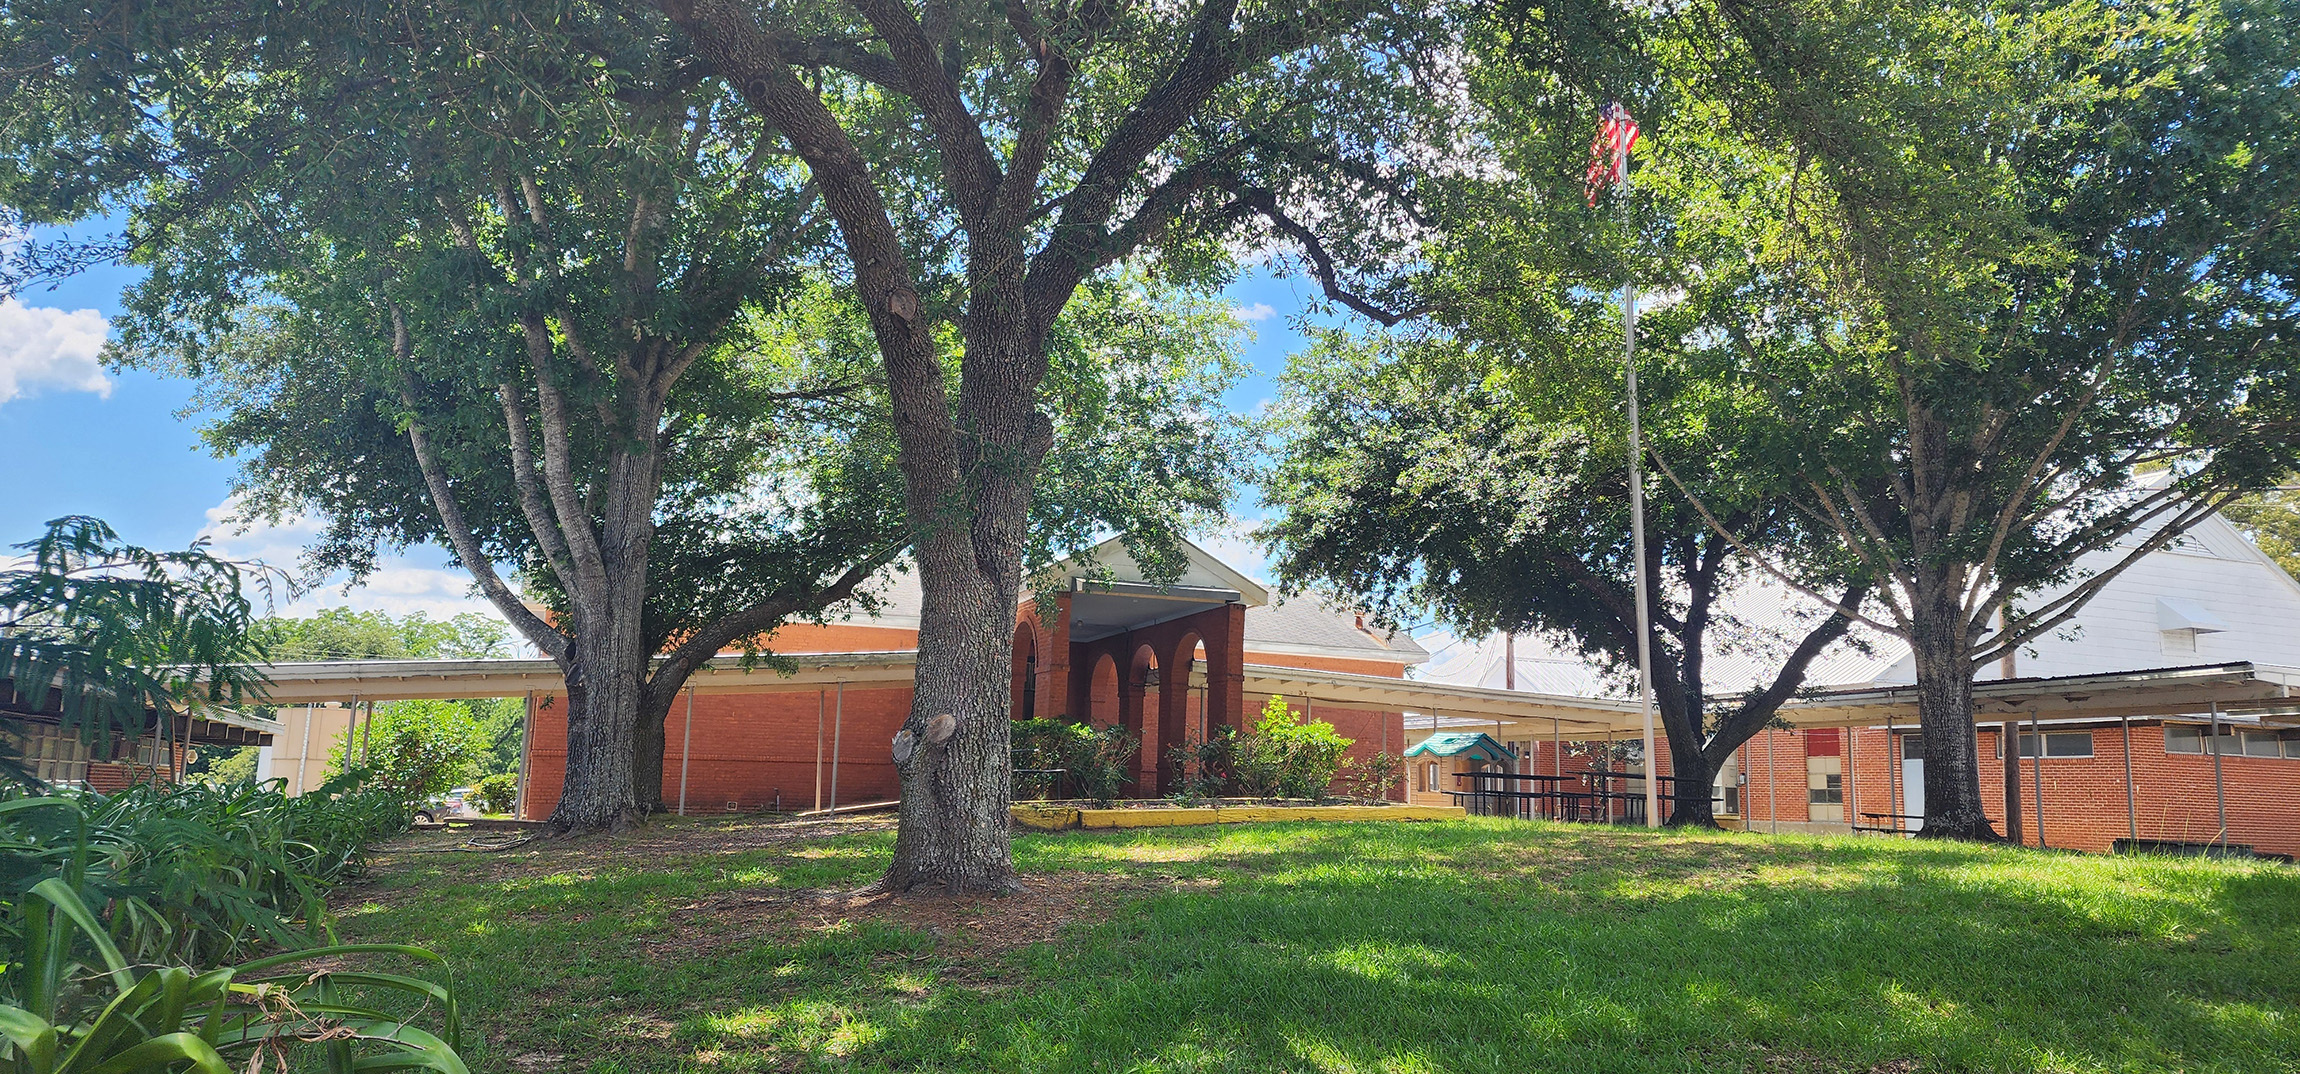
2207,611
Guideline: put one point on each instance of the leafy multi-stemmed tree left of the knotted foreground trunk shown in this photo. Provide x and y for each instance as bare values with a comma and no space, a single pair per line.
523,282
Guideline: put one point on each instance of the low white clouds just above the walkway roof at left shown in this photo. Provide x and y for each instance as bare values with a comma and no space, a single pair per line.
417,581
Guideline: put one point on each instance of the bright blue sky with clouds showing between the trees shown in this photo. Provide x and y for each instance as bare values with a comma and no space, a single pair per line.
121,445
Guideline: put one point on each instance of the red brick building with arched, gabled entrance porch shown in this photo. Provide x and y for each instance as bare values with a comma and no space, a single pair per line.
1096,640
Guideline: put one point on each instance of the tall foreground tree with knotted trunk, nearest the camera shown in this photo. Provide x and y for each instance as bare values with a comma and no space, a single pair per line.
981,162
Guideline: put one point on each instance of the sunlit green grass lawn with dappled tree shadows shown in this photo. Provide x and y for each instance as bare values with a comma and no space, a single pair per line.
1473,946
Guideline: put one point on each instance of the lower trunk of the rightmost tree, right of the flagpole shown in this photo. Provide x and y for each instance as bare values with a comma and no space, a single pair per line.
1945,709
